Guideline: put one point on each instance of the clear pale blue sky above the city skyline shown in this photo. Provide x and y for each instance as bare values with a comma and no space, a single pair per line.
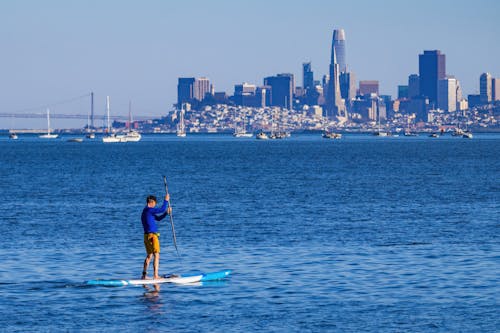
135,50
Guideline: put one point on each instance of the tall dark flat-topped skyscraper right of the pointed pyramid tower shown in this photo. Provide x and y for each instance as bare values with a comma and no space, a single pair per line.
432,68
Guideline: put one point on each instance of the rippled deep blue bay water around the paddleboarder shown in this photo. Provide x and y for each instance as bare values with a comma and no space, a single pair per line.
362,234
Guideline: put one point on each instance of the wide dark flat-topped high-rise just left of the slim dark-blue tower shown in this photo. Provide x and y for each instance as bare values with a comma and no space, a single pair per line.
281,90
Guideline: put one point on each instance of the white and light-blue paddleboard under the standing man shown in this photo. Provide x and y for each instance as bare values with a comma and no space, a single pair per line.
178,279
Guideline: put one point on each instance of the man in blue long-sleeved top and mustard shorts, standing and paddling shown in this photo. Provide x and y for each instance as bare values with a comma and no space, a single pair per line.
151,214
